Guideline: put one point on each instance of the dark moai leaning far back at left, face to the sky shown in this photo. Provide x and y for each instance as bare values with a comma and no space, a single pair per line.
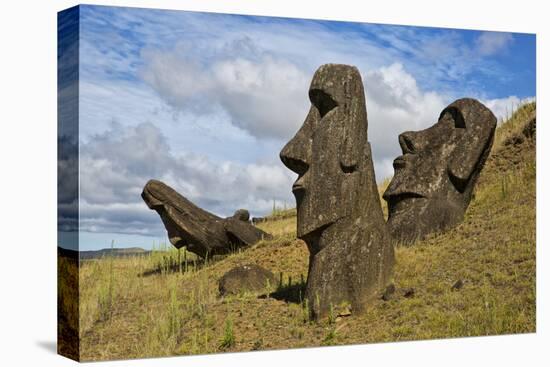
203,233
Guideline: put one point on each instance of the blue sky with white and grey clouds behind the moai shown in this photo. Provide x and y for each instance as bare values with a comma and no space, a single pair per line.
205,102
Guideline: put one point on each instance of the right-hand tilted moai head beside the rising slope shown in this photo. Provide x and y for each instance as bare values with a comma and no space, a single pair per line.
434,178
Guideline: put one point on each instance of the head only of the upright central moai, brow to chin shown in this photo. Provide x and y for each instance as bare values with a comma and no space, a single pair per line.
331,151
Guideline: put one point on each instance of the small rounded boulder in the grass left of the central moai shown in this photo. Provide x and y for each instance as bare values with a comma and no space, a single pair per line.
245,278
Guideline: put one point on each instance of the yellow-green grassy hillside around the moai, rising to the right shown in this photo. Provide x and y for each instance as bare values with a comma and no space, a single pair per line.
167,303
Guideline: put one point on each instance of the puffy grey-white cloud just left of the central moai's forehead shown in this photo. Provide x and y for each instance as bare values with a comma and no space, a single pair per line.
265,96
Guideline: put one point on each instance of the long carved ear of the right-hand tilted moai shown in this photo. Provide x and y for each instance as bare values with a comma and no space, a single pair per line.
474,146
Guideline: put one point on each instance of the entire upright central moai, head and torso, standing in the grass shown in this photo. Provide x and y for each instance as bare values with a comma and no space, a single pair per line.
339,212
